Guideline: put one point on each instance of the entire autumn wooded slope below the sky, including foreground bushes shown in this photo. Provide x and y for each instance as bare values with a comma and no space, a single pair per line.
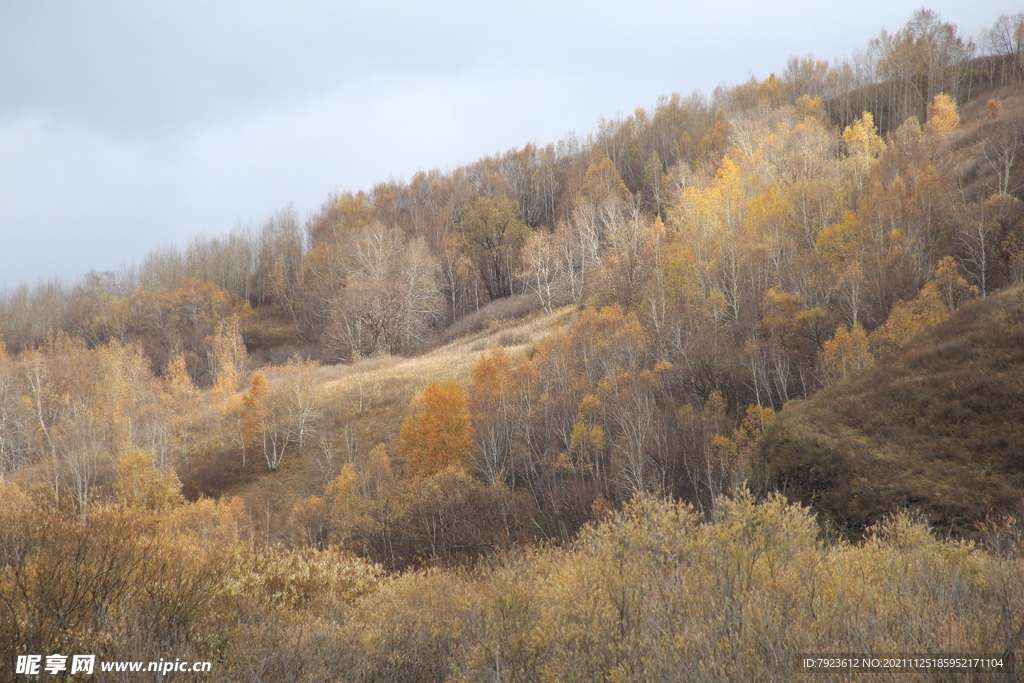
466,369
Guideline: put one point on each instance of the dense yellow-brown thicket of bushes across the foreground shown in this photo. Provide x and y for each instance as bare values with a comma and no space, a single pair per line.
653,593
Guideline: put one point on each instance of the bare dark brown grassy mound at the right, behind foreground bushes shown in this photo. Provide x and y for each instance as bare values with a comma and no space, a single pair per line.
940,430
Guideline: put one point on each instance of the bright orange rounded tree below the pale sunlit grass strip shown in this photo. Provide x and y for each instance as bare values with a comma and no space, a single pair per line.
438,433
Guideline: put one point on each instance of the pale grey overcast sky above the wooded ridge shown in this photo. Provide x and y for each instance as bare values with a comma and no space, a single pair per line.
129,126
